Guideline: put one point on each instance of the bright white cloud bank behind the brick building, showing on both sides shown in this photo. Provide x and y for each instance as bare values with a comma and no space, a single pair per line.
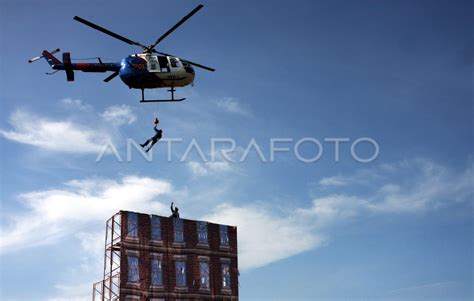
53,214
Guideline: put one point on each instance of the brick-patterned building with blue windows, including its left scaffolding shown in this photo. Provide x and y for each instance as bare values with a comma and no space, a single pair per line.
162,258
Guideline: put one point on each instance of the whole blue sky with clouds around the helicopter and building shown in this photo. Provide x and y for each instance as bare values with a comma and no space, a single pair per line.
398,72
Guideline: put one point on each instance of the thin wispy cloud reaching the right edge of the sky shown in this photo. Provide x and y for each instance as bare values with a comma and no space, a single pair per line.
405,187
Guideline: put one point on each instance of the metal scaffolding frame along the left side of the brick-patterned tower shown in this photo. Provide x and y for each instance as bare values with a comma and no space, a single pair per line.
108,289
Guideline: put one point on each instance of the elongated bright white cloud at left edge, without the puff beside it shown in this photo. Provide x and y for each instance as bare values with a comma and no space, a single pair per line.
54,135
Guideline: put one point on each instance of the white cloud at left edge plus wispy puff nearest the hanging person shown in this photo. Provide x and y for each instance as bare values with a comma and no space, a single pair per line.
83,132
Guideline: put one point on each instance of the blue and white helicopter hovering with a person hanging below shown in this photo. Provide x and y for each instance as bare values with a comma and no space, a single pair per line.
150,69
